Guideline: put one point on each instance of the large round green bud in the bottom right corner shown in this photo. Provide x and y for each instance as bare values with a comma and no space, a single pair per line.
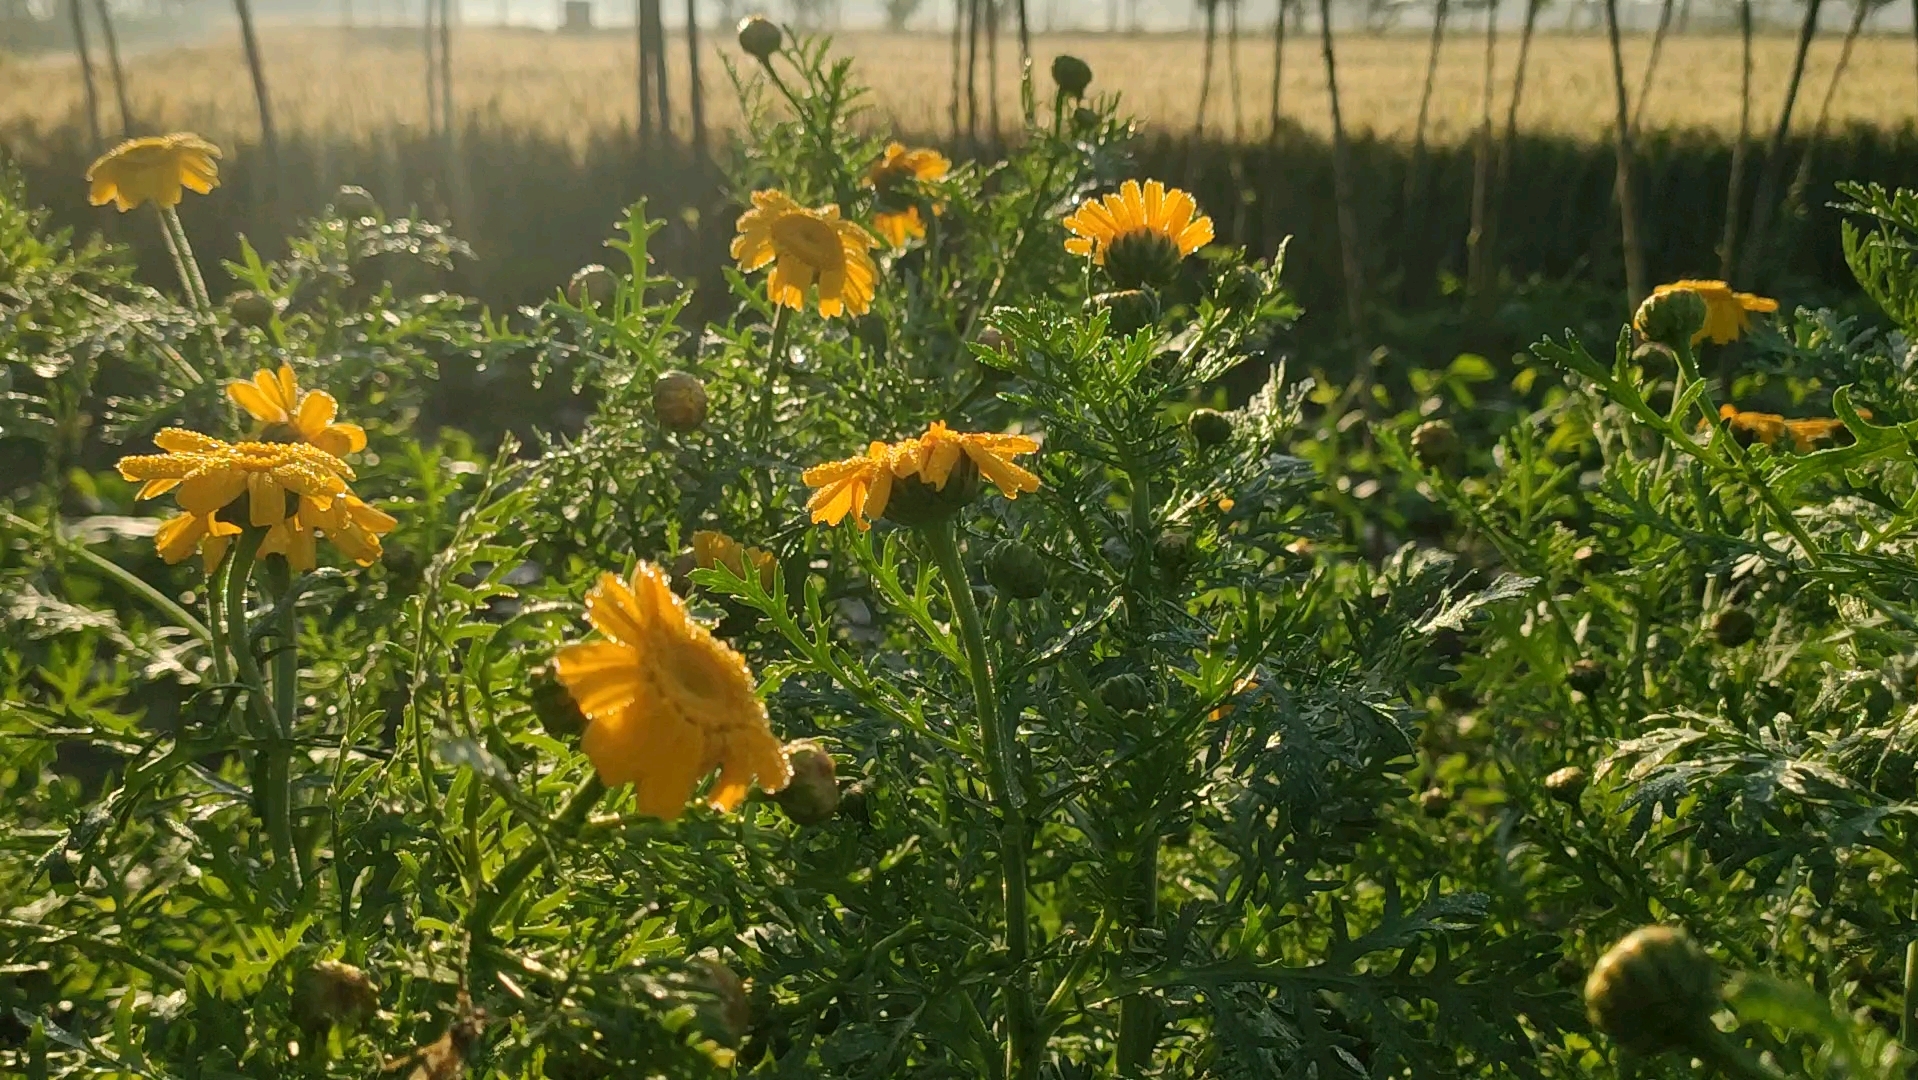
1654,991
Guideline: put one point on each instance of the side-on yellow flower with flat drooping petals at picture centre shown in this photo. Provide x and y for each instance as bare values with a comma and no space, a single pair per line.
868,486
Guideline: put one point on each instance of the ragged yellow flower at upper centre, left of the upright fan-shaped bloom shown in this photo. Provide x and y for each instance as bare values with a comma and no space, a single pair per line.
807,248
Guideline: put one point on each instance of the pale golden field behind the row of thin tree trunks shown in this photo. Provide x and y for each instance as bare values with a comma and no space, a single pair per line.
348,83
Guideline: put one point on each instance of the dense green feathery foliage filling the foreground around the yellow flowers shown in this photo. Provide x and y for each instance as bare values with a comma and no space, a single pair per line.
1311,738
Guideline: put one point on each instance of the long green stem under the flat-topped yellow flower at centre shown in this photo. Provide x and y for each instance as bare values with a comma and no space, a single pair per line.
1021,1058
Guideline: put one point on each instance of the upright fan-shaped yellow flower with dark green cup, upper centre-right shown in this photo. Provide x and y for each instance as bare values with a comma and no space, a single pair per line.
1140,233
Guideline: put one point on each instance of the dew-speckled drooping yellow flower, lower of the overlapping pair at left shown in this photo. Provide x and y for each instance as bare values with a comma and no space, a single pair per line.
292,492
